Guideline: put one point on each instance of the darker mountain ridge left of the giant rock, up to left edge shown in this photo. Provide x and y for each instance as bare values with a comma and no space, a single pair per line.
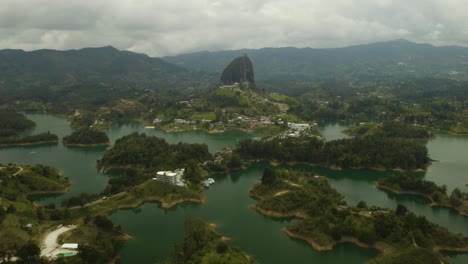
105,65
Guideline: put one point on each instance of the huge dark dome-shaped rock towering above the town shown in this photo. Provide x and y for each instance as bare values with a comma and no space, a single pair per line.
240,71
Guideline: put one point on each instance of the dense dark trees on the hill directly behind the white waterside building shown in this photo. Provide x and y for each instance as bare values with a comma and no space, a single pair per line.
152,152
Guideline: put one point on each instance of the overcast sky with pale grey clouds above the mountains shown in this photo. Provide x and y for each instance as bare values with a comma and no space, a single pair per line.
169,27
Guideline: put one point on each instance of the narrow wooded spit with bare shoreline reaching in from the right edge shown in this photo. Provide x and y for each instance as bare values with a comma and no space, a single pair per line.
404,184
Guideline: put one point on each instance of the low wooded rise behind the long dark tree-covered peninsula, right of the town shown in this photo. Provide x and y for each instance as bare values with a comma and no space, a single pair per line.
390,129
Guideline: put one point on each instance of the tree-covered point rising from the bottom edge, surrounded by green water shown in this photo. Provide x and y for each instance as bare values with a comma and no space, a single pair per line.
203,245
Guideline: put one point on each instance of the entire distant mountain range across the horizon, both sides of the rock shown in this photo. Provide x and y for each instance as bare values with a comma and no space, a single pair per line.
109,66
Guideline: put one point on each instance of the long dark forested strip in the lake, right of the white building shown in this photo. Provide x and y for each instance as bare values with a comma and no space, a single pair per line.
372,151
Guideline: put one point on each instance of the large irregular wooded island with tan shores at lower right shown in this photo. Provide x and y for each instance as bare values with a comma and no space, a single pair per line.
326,220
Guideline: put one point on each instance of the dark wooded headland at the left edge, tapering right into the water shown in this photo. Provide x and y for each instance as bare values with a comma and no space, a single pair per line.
13,123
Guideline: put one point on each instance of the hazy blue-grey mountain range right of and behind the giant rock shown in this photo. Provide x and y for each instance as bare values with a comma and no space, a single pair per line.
393,59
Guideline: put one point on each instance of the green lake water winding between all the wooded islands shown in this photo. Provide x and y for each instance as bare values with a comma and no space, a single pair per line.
155,230
